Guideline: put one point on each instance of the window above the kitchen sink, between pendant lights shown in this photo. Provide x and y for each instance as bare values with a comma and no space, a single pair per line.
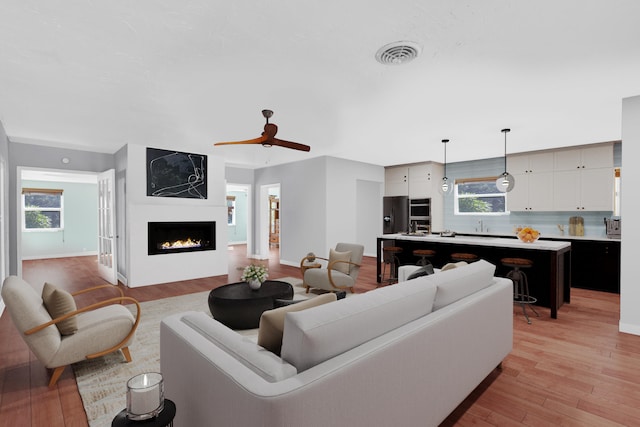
479,196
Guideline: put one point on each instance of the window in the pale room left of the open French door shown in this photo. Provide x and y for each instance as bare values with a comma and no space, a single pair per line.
42,209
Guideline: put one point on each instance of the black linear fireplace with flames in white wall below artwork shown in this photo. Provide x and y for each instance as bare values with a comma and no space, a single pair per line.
173,237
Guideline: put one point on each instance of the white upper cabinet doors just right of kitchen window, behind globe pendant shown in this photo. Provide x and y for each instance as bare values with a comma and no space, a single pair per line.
532,192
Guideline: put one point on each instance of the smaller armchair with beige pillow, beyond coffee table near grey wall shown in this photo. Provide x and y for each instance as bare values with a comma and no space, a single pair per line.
341,271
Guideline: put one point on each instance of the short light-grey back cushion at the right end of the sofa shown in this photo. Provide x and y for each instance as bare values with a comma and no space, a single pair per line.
457,283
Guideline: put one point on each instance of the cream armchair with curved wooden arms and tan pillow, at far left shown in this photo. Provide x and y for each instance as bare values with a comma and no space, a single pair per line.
60,340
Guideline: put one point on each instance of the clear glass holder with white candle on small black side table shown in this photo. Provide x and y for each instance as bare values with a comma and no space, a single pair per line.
145,396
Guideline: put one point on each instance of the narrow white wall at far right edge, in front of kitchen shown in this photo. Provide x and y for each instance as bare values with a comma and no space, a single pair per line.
630,179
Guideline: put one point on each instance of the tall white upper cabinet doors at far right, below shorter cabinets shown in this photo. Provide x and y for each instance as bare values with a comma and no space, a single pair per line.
584,190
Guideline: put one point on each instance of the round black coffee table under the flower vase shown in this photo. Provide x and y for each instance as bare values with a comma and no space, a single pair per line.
239,307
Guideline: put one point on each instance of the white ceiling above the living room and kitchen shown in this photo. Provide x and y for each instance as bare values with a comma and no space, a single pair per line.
97,74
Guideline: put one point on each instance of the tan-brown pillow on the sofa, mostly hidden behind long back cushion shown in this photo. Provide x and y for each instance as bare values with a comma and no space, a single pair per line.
272,321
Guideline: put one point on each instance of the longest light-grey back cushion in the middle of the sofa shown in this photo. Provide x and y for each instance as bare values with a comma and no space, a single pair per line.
320,333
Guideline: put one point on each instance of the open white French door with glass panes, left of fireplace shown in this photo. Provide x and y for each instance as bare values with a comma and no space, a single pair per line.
107,259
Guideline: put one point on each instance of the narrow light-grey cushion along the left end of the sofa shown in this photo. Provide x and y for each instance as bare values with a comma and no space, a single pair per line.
261,361
